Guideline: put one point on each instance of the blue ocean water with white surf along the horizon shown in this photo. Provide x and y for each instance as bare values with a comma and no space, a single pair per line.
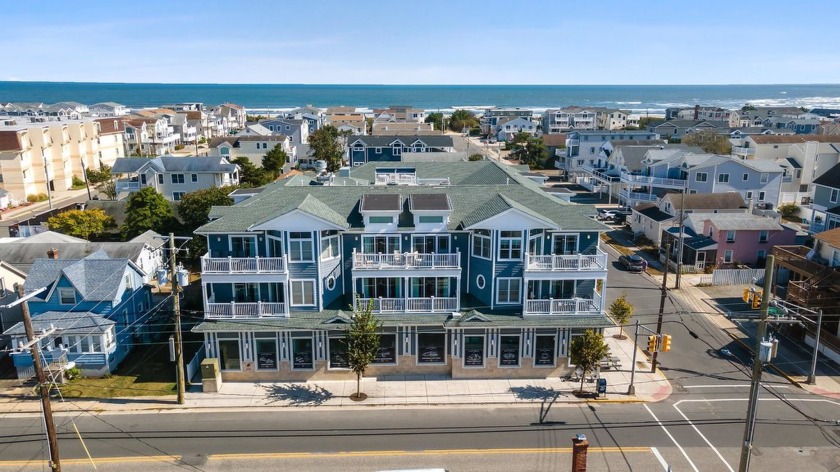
639,98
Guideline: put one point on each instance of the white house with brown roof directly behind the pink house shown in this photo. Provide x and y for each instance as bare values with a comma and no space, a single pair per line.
650,219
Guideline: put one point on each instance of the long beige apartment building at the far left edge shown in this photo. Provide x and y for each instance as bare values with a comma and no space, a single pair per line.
45,155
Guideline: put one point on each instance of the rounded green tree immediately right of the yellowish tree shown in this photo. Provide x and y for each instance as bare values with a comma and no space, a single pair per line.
147,210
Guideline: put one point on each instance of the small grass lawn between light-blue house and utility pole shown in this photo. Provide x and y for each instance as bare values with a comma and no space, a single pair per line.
145,372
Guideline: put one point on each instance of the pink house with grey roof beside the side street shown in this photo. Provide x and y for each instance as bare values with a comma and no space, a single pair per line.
725,240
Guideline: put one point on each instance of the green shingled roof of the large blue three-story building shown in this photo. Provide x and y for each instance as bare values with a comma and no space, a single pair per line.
478,190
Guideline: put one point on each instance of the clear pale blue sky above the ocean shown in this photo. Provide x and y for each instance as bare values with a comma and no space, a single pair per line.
422,42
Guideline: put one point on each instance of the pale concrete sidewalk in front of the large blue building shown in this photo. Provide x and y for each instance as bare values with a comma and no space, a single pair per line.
406,390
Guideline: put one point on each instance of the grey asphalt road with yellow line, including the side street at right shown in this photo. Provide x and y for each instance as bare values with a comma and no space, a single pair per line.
698,428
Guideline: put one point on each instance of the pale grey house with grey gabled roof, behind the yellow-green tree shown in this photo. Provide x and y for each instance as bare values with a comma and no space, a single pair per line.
173,177
